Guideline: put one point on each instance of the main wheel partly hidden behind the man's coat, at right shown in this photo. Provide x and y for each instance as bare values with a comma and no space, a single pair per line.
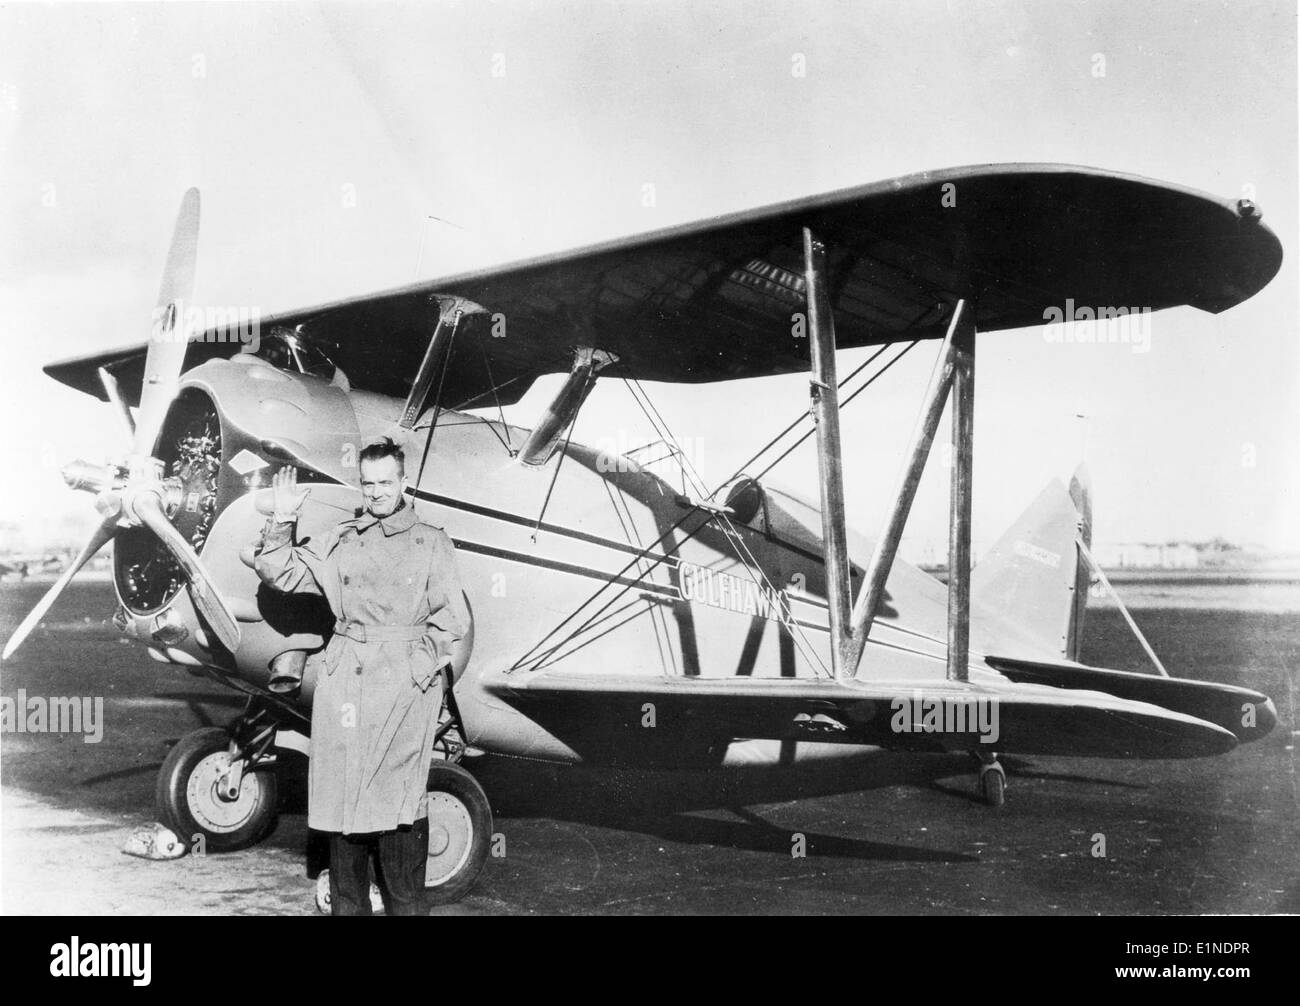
460,834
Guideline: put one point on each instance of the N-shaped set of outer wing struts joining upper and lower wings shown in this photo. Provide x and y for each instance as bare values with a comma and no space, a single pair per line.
955,371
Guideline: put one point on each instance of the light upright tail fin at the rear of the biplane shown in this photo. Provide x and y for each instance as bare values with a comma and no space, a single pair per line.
1035,576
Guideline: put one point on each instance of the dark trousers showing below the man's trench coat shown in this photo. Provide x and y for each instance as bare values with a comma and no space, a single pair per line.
402,858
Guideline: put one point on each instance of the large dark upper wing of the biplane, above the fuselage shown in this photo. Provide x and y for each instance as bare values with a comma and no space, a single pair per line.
714,301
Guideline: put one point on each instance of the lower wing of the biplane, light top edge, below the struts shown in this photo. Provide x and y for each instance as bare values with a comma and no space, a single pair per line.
605,712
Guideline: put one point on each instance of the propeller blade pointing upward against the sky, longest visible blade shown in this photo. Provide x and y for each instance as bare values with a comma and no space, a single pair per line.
170,337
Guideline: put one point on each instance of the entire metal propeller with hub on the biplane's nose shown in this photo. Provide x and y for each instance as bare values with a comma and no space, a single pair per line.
135,492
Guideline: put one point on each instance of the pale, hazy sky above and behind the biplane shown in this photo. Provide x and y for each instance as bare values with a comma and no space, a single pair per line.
343,150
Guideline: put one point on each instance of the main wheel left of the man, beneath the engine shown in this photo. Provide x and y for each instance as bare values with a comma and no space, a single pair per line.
190,805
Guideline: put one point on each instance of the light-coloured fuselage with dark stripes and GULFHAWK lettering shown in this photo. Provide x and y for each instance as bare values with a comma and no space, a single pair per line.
600,567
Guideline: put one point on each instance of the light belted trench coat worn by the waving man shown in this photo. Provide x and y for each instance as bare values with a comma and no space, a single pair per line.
392,583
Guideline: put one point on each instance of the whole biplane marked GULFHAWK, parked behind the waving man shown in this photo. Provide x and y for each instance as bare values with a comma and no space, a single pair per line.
622,618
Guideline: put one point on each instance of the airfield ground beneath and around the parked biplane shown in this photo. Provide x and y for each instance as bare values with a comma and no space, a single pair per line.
883,835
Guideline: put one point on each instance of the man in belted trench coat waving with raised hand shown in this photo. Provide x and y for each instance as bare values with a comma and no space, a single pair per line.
392,583
